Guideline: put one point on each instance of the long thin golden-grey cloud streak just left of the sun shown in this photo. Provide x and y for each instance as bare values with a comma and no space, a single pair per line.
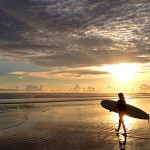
63,74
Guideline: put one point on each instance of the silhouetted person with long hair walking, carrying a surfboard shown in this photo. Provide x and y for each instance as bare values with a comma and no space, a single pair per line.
121,105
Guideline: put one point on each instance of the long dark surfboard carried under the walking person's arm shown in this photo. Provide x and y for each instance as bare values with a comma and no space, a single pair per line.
131,111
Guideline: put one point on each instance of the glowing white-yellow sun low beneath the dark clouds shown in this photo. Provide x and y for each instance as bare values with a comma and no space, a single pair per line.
124,72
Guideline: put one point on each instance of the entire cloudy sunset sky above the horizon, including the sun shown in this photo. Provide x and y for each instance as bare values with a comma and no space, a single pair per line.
75,45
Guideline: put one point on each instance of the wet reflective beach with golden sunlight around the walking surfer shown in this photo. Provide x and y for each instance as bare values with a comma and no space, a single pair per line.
70,123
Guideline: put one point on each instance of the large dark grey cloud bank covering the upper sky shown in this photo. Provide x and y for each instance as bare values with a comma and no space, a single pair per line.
74,33
